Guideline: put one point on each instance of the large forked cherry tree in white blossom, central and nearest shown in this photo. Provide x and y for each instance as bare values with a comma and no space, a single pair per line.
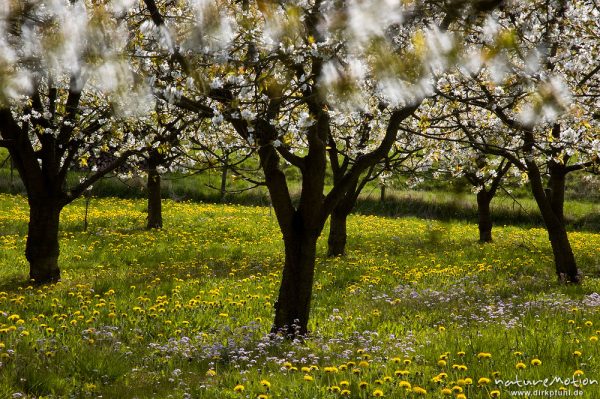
284,75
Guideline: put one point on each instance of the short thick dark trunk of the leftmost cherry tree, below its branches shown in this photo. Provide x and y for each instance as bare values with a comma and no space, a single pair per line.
42,248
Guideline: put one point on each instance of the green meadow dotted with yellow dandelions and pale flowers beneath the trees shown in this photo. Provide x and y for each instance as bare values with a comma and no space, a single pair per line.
418,308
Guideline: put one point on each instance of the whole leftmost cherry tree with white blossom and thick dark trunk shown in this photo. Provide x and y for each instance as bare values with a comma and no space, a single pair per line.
63,84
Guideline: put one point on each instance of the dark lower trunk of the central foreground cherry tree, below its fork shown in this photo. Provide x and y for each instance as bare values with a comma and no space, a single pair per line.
293,304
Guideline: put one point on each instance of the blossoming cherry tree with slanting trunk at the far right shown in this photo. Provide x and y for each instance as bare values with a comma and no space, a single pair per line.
531,99
